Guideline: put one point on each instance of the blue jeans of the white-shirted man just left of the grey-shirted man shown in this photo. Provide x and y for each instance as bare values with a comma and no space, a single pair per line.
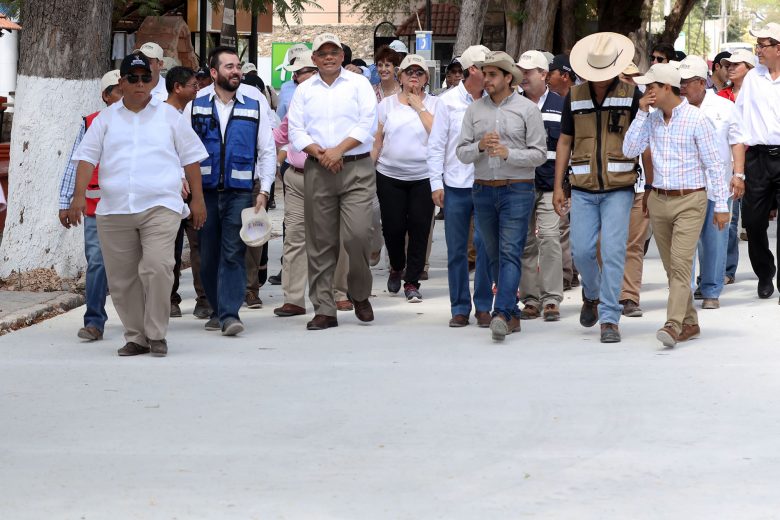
458,209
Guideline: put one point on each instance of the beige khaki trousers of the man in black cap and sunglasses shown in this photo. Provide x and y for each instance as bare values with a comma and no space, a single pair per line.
139,266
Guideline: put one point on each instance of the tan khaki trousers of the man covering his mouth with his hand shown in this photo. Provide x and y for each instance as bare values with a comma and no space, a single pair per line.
677,223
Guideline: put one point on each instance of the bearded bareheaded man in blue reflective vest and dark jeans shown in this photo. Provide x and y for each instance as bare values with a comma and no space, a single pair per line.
237,135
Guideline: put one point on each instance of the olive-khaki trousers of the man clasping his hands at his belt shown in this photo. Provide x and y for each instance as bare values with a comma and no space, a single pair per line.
338,208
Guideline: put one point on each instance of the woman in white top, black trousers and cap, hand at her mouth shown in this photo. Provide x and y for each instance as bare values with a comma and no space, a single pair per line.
400,150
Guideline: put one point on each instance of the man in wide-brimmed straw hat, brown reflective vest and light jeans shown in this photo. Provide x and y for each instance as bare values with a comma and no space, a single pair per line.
596,116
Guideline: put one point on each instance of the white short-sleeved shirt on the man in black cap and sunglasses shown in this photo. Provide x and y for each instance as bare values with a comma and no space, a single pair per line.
141,156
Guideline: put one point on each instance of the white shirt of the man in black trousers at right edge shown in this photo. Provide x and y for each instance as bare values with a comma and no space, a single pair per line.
758,108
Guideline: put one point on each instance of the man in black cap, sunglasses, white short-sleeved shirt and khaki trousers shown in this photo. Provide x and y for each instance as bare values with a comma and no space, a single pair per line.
142,144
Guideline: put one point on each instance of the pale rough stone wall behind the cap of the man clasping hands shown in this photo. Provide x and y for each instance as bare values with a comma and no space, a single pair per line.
360,38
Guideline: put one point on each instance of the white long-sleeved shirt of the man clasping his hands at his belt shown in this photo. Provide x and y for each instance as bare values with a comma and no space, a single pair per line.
328,114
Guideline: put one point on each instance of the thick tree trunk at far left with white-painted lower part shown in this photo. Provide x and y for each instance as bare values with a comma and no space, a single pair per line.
64,51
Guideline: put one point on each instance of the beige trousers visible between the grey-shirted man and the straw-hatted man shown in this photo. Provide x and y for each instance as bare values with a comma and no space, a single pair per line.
541,282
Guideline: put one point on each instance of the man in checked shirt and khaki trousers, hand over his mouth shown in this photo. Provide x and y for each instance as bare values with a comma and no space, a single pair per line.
681,140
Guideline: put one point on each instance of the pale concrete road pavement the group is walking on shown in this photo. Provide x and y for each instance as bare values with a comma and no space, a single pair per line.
405,418
